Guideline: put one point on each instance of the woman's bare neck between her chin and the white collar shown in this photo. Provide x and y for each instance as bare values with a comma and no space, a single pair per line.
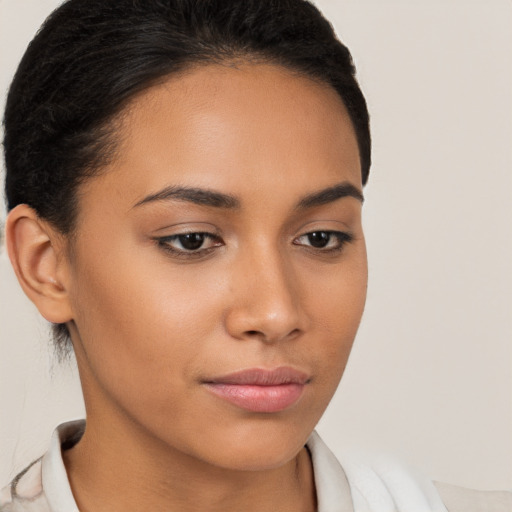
155,476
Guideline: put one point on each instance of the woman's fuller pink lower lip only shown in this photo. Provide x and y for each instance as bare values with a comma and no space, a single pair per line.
259,398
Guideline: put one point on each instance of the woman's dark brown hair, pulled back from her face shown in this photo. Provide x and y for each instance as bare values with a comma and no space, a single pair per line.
91,57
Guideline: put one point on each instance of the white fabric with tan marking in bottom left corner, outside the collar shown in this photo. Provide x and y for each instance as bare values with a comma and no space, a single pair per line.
25,493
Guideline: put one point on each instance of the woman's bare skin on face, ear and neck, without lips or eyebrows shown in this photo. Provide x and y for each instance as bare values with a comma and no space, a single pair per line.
150,326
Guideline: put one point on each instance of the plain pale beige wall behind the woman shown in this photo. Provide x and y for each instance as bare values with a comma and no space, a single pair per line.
430,378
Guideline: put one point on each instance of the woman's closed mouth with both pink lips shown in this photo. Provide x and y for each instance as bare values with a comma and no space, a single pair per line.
260,390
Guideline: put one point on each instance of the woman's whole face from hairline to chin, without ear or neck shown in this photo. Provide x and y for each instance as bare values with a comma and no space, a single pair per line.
225,238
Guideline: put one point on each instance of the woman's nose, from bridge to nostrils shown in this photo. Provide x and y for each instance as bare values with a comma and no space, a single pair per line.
266,302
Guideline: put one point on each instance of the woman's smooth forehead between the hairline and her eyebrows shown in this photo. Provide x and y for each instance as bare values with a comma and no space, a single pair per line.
237,129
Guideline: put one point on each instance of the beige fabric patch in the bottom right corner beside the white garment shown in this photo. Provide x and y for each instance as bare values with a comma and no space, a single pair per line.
460,499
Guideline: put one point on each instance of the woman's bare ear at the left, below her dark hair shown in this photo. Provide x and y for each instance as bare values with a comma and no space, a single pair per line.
37,254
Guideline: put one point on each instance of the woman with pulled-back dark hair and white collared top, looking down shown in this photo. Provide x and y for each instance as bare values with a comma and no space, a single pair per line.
185,182
